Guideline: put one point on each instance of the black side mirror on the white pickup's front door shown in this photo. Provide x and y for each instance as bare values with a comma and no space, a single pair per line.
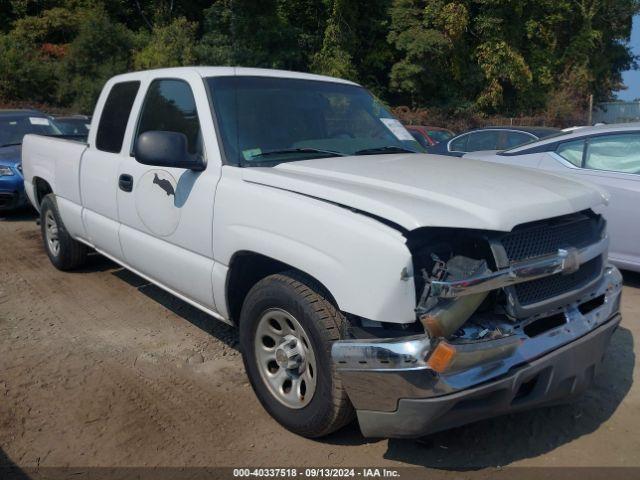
166,149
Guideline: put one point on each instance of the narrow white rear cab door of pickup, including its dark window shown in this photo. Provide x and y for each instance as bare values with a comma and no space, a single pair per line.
100,165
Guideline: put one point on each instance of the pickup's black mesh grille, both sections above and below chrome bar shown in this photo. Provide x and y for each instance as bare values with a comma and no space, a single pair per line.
547,237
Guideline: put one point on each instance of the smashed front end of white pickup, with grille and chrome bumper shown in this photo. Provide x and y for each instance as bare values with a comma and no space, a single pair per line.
490,305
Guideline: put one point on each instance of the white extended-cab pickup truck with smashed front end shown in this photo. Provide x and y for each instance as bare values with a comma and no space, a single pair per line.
418,291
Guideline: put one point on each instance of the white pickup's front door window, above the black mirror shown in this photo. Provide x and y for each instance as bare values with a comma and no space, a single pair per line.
170,107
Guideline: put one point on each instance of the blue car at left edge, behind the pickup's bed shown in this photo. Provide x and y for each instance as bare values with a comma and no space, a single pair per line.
15,124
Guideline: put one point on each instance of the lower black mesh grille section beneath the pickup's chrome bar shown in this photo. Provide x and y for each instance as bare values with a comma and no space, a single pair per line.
549,287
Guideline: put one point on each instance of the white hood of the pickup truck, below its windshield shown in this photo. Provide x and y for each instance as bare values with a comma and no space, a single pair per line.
416,190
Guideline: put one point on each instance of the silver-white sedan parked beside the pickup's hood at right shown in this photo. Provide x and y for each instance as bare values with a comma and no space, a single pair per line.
606,155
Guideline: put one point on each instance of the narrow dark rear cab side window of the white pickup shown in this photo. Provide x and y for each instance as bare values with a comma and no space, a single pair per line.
115,114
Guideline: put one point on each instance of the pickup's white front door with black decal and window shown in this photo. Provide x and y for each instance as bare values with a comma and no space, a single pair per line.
166,213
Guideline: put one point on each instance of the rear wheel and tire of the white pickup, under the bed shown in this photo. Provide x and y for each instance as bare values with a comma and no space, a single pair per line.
69,253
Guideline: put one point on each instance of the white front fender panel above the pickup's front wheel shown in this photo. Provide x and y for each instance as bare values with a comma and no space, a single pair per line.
358,259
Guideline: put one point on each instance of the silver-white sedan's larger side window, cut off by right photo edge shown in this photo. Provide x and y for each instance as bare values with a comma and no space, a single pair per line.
616,153
